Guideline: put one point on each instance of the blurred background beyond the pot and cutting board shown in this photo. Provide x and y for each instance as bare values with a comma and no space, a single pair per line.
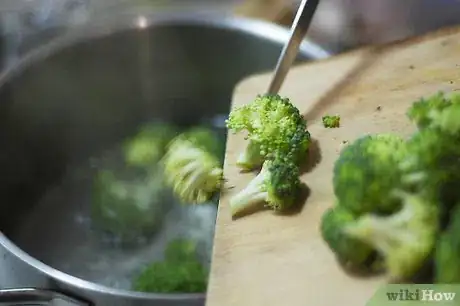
338,25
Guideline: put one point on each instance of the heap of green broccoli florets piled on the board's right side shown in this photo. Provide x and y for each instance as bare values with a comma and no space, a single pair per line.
402,196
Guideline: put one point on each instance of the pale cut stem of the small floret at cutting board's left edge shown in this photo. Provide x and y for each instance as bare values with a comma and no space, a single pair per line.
250,197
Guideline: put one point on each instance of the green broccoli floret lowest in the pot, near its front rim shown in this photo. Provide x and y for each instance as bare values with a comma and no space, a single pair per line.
180,271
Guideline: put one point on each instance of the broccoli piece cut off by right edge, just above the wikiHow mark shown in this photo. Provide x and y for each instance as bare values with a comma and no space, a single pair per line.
447,252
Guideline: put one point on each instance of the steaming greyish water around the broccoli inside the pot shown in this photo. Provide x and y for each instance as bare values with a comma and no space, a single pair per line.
60,233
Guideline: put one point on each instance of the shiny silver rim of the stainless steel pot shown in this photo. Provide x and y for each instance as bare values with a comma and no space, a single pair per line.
131,21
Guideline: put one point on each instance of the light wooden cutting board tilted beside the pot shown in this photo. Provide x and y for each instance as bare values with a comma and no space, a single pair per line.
271,260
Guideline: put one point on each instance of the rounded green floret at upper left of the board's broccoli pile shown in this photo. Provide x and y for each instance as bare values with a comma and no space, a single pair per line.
367,171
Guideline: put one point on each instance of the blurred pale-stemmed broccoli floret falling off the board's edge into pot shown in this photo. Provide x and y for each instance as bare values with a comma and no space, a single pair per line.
193,165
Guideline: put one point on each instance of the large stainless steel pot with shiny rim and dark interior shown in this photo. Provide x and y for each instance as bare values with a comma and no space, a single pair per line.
82,92
